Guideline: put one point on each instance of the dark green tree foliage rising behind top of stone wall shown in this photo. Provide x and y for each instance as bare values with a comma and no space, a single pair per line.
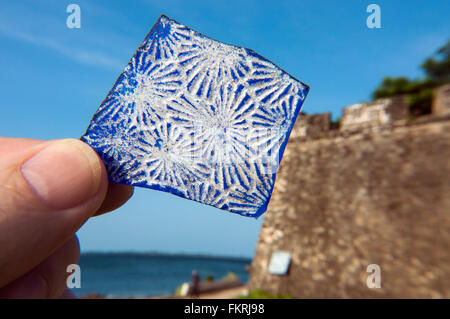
419,91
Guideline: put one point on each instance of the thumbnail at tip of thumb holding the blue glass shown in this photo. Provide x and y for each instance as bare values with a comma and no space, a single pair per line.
64,174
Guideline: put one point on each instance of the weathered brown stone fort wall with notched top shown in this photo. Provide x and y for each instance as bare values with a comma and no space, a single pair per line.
376,190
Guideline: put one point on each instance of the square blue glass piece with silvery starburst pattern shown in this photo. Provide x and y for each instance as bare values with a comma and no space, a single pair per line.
199,119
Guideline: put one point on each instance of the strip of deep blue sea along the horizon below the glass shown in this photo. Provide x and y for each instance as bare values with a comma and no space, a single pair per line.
125,275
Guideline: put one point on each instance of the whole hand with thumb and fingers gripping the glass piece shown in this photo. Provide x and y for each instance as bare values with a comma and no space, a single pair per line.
48,189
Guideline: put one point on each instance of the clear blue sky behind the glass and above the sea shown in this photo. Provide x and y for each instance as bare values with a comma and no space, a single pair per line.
53,78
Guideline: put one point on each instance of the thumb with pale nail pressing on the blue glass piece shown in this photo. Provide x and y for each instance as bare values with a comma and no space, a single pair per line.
47,191
